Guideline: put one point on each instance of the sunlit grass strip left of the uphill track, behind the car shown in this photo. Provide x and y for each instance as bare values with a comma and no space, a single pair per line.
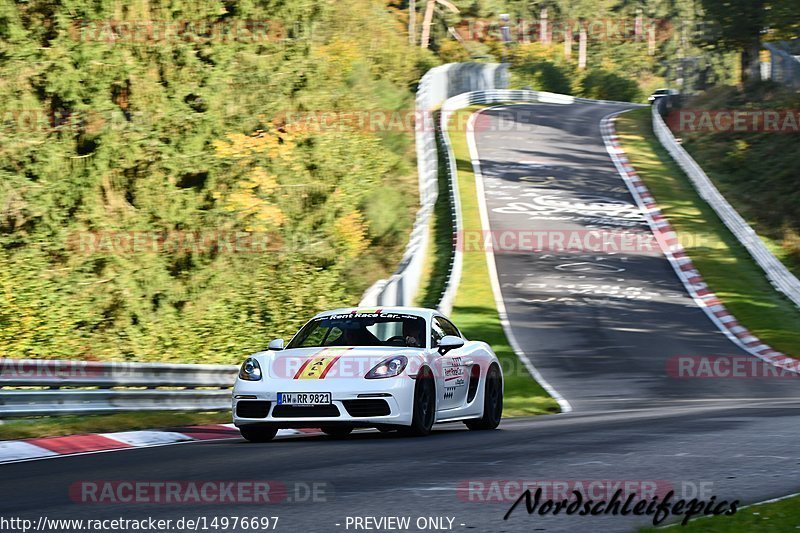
474,309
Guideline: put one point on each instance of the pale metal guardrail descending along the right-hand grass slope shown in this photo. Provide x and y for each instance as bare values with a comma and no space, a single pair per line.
777,273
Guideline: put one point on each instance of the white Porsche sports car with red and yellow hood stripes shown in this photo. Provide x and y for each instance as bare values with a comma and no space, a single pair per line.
394,368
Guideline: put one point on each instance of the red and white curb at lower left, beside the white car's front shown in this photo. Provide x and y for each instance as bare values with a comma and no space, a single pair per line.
48,447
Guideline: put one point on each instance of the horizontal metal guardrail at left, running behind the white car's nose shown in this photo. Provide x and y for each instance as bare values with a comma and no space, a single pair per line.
32,387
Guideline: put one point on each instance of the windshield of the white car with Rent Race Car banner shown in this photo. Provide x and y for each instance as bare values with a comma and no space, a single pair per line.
362,329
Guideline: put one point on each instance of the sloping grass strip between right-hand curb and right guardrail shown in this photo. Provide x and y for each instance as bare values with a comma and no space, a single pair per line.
727,267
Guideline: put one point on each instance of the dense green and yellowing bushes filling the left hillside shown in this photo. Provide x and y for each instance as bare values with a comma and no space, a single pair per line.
187,136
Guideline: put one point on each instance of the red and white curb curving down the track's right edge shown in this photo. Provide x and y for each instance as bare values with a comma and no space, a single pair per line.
682,263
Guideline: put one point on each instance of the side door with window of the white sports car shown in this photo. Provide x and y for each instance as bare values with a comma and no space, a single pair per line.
451,367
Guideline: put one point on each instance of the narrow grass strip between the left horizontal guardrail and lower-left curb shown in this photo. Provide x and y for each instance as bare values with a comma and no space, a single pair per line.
72,425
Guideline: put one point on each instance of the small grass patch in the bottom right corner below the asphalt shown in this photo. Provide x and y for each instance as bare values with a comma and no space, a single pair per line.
783,515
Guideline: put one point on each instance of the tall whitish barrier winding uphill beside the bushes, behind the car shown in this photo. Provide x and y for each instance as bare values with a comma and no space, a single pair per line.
436,86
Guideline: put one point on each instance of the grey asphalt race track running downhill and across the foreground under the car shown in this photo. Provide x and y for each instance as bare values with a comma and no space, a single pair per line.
601,329
